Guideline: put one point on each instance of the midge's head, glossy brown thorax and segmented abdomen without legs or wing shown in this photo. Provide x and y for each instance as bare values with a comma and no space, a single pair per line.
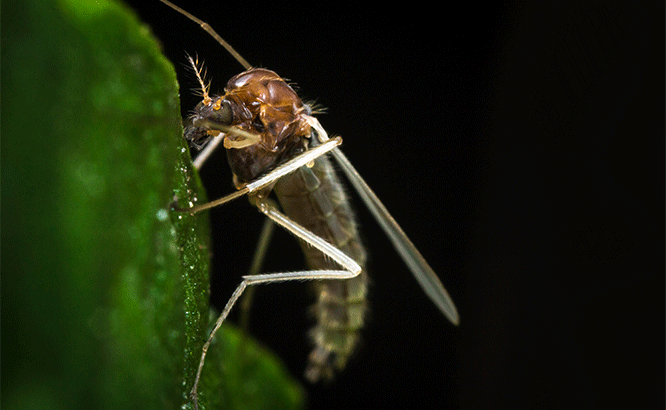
258,101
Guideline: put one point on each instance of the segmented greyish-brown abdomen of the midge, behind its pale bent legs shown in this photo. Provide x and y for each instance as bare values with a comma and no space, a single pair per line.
314,198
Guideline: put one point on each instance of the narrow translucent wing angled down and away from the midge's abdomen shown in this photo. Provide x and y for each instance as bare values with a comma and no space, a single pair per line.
423,273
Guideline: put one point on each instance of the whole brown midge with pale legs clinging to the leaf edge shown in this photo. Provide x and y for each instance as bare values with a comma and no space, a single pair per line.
275,144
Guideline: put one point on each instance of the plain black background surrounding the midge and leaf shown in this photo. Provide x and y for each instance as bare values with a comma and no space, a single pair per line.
521,148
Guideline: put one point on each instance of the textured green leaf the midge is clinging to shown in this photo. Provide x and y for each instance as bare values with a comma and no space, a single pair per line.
104,289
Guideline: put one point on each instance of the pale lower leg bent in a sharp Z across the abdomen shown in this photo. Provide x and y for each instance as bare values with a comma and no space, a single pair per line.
267,207
